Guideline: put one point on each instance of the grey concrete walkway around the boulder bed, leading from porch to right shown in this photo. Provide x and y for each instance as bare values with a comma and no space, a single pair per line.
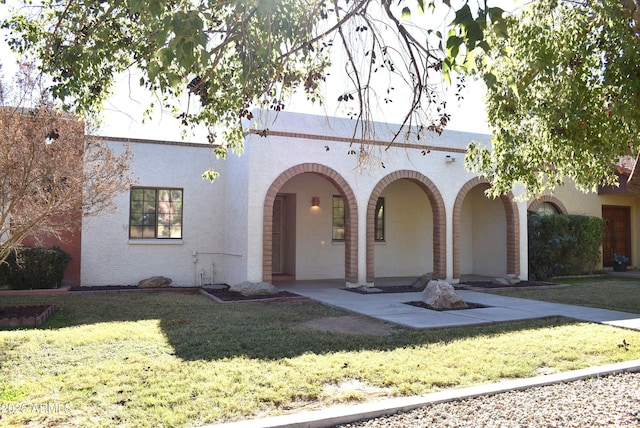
391,307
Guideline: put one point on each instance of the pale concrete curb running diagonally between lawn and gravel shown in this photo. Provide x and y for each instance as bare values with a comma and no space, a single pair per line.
346,414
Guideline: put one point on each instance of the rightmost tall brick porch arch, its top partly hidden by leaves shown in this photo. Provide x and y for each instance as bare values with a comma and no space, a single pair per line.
513,227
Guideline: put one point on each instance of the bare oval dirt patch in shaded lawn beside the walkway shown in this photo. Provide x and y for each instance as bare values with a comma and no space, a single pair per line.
349,324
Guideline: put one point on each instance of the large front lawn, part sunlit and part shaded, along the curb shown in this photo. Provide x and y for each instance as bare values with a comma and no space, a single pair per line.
168,359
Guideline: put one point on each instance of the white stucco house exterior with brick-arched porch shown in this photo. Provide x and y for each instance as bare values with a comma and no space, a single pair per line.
303,156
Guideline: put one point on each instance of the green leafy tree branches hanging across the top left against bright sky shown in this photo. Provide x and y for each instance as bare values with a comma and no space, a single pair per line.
213,61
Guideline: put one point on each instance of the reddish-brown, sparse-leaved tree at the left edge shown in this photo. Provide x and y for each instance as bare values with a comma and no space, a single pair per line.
49,171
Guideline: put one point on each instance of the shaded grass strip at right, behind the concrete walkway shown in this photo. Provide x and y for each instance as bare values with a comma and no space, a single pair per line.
618,294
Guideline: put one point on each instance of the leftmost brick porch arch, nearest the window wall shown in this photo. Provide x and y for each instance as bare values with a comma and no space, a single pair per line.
351,217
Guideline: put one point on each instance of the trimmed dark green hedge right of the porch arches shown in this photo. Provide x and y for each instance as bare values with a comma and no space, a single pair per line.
563,244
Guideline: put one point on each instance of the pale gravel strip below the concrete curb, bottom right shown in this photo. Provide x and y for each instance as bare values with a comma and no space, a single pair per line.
610,401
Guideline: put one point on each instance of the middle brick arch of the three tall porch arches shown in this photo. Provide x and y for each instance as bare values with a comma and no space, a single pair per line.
439,219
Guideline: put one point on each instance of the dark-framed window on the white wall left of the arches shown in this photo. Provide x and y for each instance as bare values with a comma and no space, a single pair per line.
155,213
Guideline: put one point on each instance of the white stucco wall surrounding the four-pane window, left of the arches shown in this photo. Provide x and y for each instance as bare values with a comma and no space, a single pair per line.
109,257
